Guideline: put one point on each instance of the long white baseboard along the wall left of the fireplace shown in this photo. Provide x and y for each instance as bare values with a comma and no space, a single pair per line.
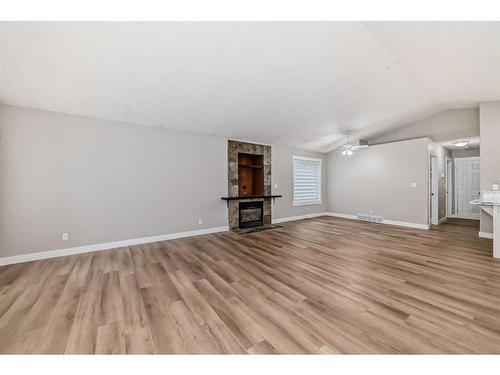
105,246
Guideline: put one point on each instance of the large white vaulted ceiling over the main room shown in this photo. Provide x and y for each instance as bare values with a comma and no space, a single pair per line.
292,83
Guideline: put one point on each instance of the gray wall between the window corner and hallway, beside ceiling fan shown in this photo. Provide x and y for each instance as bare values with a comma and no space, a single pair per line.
377,181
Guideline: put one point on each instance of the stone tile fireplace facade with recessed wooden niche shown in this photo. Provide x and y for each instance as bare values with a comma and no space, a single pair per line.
240,161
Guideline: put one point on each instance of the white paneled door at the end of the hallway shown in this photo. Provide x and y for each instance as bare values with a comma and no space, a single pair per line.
466,187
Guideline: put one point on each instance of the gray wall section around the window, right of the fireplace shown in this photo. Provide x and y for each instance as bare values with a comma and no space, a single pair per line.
282,174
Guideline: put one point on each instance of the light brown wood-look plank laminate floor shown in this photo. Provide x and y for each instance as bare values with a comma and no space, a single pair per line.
323,285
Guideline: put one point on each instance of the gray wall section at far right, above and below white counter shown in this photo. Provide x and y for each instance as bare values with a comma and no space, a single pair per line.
490,154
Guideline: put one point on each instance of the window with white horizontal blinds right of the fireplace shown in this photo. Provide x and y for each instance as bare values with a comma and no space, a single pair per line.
306,181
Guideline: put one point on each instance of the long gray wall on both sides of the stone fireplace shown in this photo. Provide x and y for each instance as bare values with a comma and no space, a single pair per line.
103,181
